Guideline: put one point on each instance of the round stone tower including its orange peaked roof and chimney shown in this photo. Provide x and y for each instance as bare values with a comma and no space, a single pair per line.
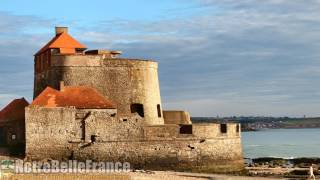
132,84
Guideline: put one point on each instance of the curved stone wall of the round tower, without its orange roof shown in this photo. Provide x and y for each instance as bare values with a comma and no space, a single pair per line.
123,81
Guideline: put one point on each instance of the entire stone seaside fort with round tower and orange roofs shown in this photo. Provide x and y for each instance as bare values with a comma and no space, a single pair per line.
92,104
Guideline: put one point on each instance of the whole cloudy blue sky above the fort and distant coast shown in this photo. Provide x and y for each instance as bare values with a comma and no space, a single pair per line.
217,57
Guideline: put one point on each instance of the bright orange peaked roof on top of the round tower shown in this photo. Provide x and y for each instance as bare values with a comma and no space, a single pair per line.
62,41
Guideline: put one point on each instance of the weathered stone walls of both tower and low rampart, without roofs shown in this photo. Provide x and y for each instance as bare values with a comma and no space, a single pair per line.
121,135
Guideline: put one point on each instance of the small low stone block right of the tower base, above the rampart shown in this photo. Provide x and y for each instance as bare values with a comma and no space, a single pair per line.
176,117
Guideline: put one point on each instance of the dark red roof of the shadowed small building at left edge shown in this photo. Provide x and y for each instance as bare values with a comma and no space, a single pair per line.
14,110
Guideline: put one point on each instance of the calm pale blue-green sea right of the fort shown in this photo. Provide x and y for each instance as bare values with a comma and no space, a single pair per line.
285,143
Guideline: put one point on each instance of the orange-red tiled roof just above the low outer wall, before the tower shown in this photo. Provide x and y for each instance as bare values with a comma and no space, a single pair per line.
81,97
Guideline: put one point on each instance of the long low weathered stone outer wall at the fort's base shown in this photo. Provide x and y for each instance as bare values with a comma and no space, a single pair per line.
54,133
